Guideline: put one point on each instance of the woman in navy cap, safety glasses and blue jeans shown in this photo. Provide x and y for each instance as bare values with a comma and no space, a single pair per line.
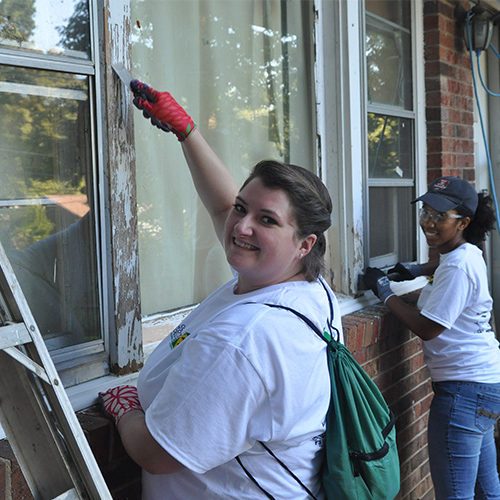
460,347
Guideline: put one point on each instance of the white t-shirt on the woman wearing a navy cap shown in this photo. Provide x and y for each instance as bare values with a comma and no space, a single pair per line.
458,299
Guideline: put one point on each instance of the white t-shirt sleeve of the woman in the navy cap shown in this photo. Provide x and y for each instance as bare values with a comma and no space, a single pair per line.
451,291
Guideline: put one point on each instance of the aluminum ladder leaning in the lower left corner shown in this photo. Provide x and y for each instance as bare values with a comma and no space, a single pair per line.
35,411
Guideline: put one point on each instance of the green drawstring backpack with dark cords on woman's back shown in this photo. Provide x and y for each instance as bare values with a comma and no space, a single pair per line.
361,458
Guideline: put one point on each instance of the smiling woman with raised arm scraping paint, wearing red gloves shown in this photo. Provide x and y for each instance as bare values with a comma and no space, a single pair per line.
236,372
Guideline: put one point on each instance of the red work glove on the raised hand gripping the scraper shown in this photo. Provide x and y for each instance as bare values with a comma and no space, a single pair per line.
163,110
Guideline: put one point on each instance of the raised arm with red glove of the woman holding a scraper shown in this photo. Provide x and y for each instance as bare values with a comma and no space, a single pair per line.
212,180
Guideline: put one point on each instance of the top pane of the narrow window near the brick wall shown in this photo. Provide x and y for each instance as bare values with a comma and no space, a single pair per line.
388,59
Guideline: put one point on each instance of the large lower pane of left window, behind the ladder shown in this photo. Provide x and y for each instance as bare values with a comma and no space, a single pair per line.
46,220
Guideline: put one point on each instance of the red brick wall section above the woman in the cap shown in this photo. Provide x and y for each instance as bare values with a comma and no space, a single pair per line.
449,91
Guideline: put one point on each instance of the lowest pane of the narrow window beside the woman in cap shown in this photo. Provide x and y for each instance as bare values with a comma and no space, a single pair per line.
392,225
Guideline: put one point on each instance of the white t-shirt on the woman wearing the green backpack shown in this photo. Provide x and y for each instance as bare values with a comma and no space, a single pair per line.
233,374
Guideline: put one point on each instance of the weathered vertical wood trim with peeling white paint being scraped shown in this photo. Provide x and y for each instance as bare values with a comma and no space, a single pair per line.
125,342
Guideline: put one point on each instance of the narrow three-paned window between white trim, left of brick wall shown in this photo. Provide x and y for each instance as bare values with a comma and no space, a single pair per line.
391,157
